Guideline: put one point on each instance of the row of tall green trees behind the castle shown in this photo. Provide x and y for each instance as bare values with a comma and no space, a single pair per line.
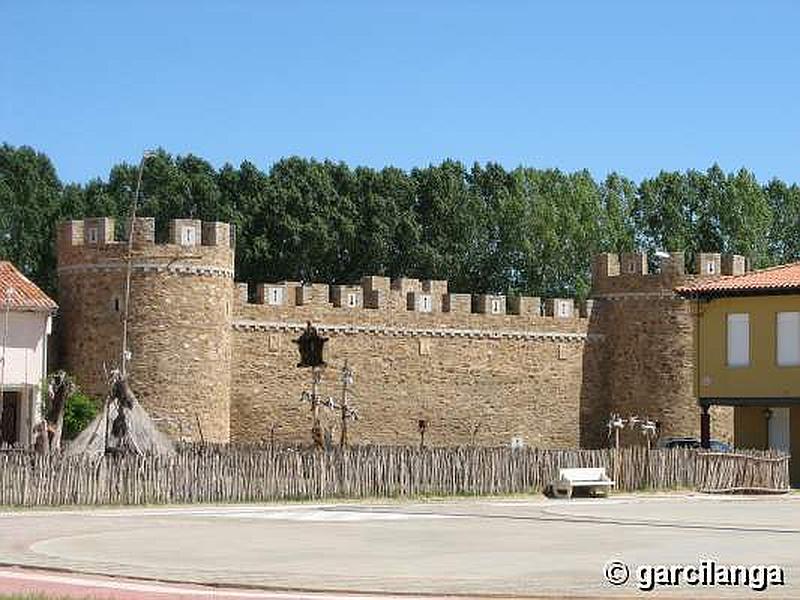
484,228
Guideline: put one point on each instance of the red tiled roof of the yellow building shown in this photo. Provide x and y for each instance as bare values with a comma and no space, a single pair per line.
775,280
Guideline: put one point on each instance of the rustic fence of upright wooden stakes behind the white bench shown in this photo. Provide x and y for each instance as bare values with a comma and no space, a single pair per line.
256,474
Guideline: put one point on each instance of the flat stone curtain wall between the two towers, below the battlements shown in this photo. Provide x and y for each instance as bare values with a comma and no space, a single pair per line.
474,378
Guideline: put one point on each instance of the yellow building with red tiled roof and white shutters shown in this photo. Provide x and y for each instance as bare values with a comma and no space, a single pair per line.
747,340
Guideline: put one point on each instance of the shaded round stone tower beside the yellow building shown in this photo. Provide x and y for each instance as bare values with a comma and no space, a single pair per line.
649,339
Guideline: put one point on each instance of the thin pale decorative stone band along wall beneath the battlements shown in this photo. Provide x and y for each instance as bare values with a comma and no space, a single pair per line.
296,326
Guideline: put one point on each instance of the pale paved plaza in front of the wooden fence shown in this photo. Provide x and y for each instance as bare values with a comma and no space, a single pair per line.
504,547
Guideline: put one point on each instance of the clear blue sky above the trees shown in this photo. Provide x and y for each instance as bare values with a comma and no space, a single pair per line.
634,87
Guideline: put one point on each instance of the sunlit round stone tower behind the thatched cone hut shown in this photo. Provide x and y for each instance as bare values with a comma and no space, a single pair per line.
179,320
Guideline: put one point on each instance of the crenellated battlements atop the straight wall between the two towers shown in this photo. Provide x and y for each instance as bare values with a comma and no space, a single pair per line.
406,295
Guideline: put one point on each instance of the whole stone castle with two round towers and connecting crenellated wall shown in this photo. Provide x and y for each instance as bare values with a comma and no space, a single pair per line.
213,359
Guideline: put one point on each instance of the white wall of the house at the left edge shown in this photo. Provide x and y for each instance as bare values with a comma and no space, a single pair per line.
26,363
